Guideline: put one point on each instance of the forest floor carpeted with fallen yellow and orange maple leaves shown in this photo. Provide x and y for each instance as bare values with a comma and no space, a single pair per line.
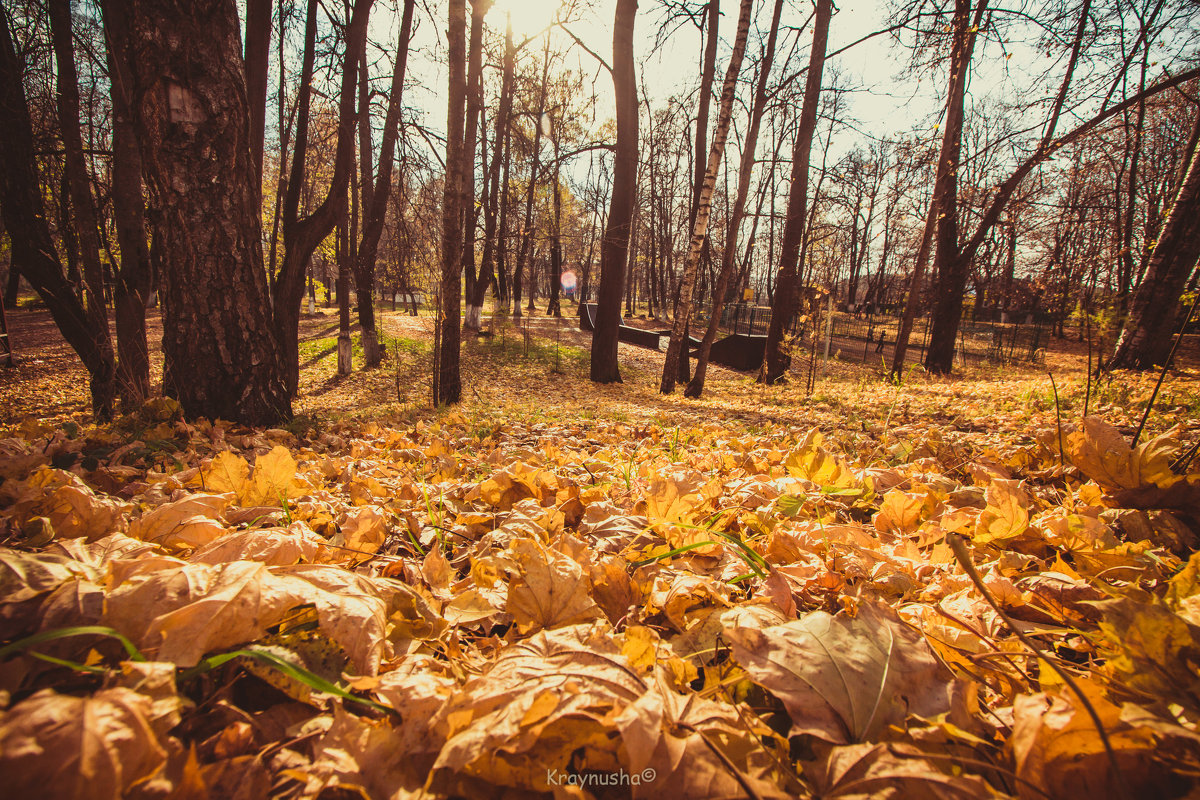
941,587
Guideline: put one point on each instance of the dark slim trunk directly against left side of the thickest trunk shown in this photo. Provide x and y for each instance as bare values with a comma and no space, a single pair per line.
134,279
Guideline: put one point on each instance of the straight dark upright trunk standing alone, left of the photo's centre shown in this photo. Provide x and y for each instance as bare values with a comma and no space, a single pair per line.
449,383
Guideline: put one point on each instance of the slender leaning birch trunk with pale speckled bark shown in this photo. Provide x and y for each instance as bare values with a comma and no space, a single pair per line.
676,348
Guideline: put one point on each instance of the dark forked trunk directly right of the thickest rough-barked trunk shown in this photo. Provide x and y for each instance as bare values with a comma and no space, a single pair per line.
303,236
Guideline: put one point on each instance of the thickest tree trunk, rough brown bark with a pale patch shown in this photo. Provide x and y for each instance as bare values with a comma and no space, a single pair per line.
190,111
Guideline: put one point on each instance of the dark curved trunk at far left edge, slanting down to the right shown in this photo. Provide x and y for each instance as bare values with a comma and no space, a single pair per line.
33,249
